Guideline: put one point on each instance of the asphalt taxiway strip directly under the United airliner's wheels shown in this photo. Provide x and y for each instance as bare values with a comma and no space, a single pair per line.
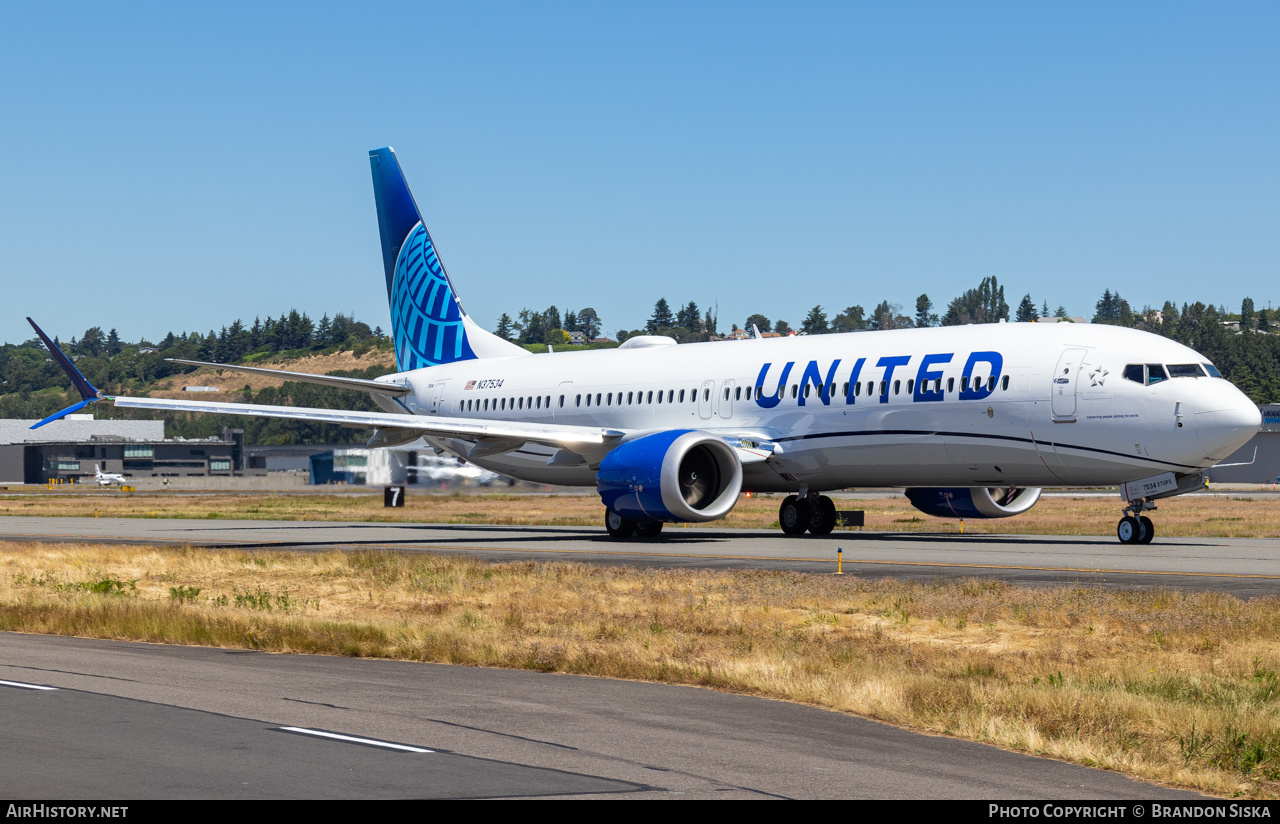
1244,567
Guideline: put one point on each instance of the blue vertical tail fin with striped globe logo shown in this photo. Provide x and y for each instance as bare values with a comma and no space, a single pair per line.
429,326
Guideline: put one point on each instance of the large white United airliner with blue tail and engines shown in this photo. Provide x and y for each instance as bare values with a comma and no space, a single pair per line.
972,420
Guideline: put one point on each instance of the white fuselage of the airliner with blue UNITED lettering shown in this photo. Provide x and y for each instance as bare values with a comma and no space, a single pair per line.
998,405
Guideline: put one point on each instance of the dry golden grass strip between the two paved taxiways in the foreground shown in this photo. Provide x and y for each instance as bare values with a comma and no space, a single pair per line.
1174,688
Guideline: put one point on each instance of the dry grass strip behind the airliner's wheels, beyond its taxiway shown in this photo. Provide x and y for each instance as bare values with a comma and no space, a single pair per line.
1199,516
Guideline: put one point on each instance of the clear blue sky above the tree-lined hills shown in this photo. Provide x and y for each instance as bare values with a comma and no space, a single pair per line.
177,167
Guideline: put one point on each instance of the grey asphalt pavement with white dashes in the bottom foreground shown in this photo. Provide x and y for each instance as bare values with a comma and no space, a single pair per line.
138,721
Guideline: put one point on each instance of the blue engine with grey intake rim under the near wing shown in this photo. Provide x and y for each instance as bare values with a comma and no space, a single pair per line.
683,475
